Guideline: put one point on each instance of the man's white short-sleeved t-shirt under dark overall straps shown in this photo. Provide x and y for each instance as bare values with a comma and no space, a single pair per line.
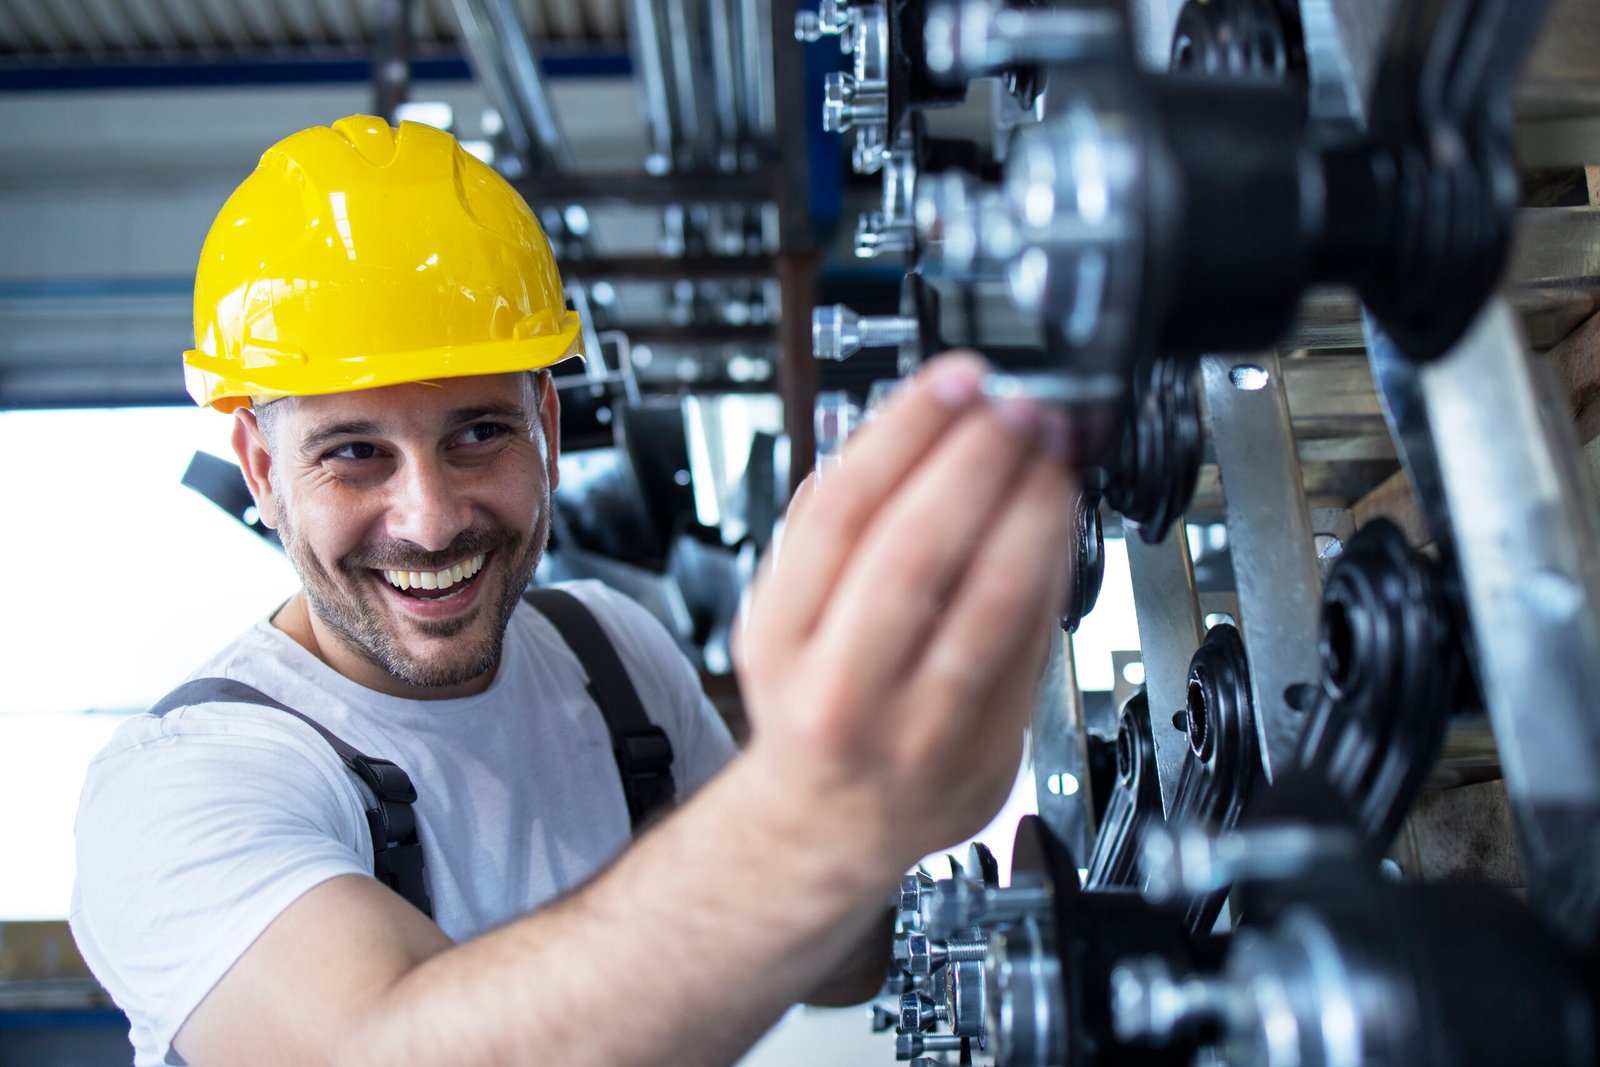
198,829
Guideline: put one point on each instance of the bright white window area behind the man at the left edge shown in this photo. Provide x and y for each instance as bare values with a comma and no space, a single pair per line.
121,581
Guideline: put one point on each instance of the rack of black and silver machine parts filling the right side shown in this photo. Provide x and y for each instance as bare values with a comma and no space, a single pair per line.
1292,271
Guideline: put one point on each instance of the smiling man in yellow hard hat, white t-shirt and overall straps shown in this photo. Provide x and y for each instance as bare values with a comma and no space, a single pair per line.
377,310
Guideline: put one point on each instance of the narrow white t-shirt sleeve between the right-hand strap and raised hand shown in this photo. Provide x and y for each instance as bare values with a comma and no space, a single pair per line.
668,685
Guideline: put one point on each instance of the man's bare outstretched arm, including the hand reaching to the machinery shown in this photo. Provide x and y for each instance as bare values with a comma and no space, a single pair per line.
889,663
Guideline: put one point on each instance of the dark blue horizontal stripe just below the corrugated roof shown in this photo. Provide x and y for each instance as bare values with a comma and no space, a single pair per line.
26,78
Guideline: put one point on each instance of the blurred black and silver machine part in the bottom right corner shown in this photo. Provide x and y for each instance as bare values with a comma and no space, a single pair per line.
1346,969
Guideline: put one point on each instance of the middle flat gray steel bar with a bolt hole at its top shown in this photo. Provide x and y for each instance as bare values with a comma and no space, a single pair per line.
1270,530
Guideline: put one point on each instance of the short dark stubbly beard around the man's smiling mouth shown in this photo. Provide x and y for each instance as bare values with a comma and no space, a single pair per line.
345,601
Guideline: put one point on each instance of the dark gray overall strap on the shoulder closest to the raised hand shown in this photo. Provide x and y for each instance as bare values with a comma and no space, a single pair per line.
644,754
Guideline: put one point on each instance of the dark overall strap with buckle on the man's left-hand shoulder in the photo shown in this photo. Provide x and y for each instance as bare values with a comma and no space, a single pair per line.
398,852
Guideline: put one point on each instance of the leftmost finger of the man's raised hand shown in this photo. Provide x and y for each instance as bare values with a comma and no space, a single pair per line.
828,519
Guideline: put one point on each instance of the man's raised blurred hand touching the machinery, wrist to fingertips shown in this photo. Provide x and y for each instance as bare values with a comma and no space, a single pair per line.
897,637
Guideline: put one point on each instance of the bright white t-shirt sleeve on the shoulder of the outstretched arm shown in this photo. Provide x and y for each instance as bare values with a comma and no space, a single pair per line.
191,839
